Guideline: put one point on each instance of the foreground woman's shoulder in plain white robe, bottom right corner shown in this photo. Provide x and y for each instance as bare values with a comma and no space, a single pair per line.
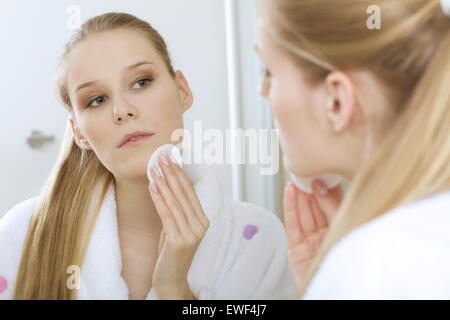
401,255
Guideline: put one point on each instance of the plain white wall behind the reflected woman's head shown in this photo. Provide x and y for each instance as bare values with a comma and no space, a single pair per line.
32,36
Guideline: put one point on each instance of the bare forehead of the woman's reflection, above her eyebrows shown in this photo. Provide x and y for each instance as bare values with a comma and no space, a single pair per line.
100,54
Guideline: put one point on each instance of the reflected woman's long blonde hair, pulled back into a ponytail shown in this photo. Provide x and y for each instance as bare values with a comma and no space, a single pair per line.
68,206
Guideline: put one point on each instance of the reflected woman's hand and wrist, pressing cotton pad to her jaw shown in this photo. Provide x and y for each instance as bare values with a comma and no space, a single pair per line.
184,225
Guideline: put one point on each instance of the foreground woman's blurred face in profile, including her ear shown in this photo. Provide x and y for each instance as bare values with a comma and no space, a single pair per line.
307,124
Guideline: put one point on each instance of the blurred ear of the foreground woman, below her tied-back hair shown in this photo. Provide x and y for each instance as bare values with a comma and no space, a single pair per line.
342,102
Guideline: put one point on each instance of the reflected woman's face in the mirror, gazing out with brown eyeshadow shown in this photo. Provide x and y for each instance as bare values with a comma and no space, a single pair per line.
118,84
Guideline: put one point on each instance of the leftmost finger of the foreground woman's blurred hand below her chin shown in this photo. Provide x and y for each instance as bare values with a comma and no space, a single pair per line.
292,224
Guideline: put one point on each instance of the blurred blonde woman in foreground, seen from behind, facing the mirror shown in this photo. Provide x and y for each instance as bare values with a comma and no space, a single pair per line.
373,105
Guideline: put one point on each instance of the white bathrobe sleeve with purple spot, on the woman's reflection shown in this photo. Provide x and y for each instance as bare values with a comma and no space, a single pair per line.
257,265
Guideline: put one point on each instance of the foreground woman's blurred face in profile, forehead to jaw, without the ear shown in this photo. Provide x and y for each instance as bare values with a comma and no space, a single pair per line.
295,106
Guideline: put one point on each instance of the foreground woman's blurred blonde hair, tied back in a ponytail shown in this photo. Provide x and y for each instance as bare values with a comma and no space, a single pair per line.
410,54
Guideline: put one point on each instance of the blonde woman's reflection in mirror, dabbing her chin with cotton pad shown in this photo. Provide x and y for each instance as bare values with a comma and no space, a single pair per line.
99,230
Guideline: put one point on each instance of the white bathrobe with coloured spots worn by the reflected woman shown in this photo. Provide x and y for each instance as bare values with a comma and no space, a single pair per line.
243,255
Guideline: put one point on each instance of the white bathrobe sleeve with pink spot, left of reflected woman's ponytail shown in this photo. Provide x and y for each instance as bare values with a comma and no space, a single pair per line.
13,229
